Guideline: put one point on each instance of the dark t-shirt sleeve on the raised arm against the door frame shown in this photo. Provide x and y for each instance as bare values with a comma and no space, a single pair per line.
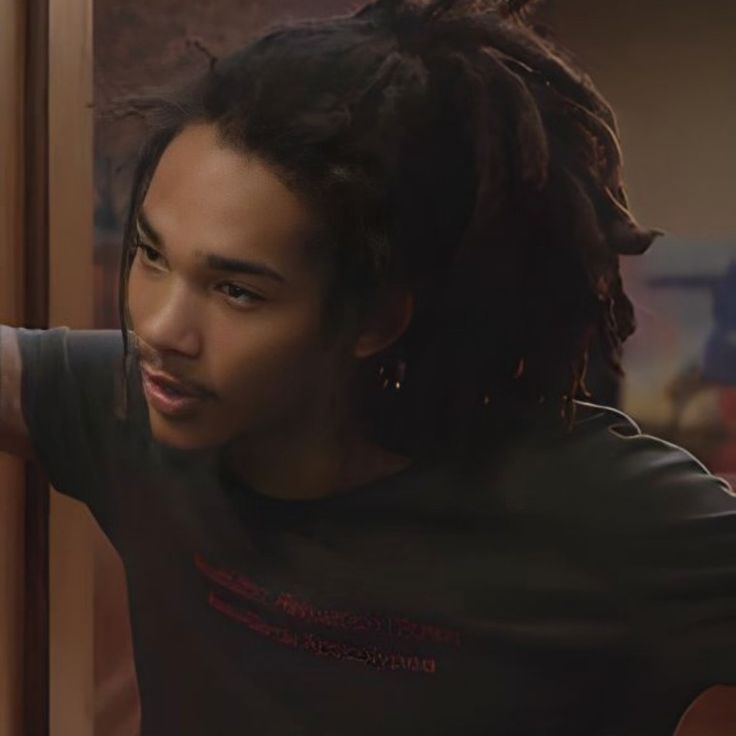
70,392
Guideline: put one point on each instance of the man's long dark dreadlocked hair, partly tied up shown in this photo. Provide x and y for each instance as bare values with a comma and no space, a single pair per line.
449,147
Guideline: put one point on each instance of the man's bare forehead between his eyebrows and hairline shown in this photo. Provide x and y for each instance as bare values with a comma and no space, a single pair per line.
233,203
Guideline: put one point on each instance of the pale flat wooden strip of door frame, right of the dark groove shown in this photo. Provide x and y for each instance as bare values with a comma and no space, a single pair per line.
70,281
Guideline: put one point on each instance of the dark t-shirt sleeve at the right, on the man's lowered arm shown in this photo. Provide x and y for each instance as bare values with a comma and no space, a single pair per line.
670,543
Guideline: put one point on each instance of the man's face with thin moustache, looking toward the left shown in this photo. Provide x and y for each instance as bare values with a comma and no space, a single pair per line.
225,294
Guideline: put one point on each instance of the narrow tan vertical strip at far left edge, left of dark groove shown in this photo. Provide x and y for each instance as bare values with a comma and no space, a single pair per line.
11,469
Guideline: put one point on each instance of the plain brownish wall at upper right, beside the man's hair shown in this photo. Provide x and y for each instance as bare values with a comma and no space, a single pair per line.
668,68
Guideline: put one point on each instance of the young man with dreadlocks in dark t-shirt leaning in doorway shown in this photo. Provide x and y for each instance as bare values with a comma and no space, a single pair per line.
339,444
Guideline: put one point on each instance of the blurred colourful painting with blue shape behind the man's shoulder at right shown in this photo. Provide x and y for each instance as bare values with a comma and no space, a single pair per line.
681,363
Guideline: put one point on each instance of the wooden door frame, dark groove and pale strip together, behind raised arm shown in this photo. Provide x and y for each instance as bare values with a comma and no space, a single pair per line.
58,288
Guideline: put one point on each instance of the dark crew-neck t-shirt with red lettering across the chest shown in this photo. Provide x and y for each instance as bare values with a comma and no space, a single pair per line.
588,588
